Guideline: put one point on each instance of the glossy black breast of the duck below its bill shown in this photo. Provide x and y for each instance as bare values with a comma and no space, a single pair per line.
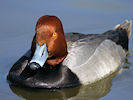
48,77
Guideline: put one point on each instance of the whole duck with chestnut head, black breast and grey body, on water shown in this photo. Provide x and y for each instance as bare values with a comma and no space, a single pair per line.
58,60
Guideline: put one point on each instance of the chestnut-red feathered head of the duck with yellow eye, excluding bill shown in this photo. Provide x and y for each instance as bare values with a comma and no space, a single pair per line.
49,31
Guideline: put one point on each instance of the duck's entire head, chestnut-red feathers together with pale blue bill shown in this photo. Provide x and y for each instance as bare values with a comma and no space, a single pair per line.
49,44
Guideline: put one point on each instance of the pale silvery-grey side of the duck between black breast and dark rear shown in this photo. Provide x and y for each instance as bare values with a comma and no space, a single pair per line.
96,62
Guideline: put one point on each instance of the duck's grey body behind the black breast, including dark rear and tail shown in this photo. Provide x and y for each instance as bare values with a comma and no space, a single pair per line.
97,55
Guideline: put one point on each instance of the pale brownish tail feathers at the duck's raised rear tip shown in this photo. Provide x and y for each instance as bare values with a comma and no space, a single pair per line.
126,25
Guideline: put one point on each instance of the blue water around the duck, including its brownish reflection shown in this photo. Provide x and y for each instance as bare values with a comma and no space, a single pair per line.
17,24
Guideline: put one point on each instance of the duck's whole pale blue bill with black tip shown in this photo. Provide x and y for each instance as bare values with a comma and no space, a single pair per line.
39,58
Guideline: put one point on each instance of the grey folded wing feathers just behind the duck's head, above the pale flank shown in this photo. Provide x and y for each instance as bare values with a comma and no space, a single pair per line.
81,50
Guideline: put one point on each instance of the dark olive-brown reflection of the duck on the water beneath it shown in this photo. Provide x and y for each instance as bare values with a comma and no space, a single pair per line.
87,92
